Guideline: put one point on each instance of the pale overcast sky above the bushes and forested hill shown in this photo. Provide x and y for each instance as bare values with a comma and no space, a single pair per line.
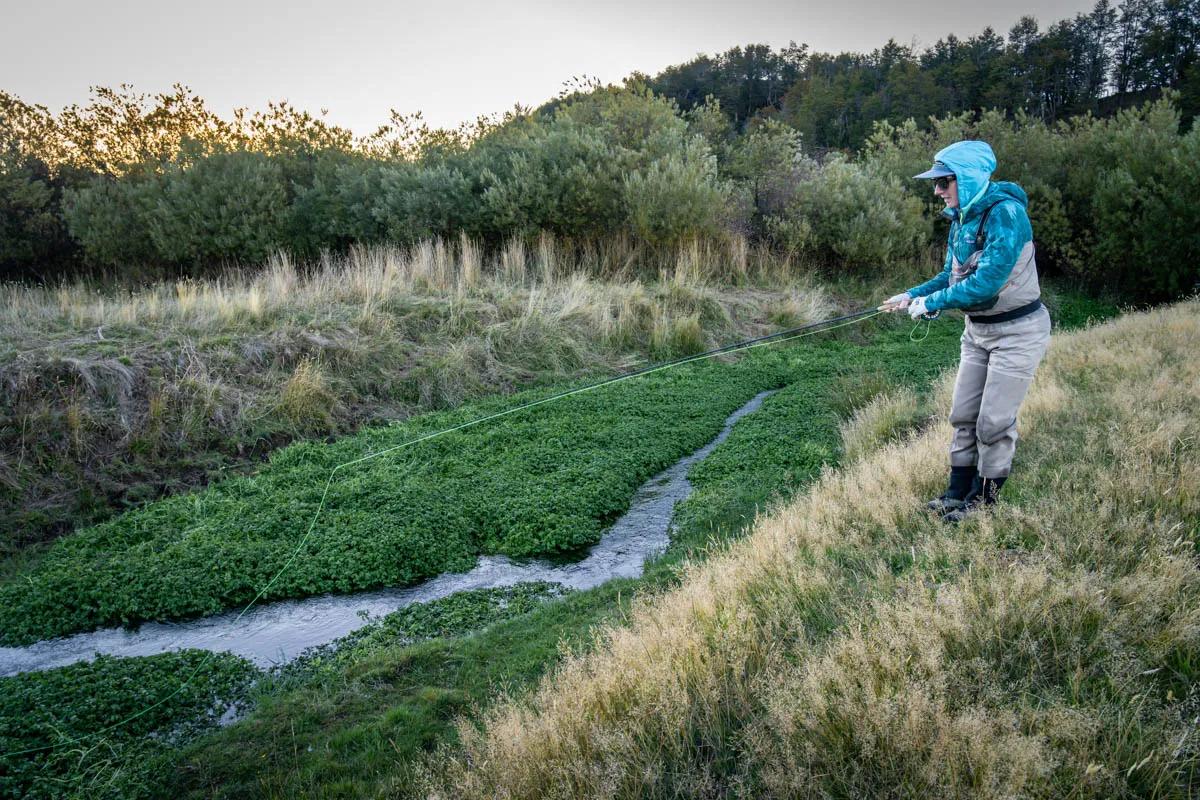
451,61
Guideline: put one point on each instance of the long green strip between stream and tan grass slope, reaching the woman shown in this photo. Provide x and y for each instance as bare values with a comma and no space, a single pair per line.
363,730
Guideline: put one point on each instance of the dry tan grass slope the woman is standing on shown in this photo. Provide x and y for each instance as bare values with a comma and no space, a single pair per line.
854,647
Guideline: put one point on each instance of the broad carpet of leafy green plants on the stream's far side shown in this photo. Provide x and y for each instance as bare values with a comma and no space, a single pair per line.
536,483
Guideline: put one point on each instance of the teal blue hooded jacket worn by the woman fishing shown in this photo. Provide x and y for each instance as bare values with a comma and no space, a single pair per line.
1007,232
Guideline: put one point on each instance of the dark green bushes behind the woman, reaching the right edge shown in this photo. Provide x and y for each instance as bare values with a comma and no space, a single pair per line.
1106,195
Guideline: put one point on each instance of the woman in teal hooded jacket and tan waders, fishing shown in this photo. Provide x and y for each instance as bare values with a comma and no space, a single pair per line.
989,274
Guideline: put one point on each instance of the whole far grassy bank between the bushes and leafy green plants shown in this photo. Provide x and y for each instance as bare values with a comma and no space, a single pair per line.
115,400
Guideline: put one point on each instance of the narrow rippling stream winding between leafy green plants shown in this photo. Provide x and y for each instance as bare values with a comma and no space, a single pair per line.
278,633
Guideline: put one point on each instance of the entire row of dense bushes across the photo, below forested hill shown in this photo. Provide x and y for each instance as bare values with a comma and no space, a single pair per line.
1106,195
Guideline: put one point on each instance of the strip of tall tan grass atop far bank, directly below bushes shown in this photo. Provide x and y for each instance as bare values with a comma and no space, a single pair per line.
370,278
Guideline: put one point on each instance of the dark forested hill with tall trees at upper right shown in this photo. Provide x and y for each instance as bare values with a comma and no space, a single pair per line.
1095,63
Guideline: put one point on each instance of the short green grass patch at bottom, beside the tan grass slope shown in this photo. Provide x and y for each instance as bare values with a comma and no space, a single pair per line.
345,732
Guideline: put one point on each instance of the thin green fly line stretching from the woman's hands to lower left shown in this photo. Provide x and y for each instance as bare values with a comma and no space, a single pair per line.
772,339
